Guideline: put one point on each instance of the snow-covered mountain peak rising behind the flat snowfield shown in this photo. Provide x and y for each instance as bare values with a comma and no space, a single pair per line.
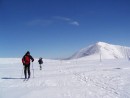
102,50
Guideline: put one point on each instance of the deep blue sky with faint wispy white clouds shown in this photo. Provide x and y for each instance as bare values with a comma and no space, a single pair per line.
58,28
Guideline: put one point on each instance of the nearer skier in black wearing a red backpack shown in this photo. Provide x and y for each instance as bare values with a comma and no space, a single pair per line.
26,63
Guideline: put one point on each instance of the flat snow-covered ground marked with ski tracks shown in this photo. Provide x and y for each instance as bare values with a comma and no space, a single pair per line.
66,79
